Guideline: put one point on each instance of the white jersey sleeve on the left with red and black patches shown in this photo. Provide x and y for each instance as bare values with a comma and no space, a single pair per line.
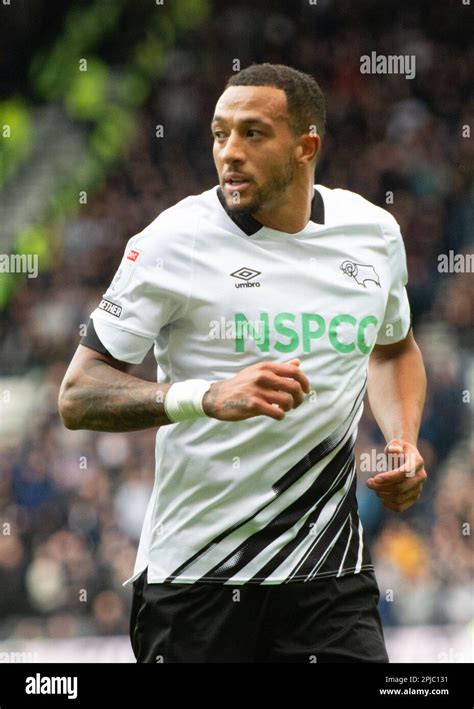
149,291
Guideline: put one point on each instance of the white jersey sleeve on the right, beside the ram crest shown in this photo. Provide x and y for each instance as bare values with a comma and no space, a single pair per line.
397,318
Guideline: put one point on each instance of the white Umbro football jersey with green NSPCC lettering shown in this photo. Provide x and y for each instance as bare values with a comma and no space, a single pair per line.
258,501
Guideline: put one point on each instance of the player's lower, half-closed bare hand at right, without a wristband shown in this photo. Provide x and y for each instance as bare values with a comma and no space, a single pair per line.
400,488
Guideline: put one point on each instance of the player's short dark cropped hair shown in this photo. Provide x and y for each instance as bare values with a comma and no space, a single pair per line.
305,100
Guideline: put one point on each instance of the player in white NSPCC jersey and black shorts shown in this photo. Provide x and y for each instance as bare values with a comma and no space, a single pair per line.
272,304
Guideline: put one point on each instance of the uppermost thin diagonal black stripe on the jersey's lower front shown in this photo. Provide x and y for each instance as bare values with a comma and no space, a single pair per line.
315,455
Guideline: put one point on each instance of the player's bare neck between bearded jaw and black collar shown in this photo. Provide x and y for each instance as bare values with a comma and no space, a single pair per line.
291,212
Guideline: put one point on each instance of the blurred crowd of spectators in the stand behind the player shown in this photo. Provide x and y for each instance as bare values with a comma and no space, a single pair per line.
72,503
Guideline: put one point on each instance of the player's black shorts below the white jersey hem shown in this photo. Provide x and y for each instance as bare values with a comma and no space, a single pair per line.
325,620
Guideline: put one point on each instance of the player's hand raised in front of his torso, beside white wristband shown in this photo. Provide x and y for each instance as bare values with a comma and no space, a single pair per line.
263,389
